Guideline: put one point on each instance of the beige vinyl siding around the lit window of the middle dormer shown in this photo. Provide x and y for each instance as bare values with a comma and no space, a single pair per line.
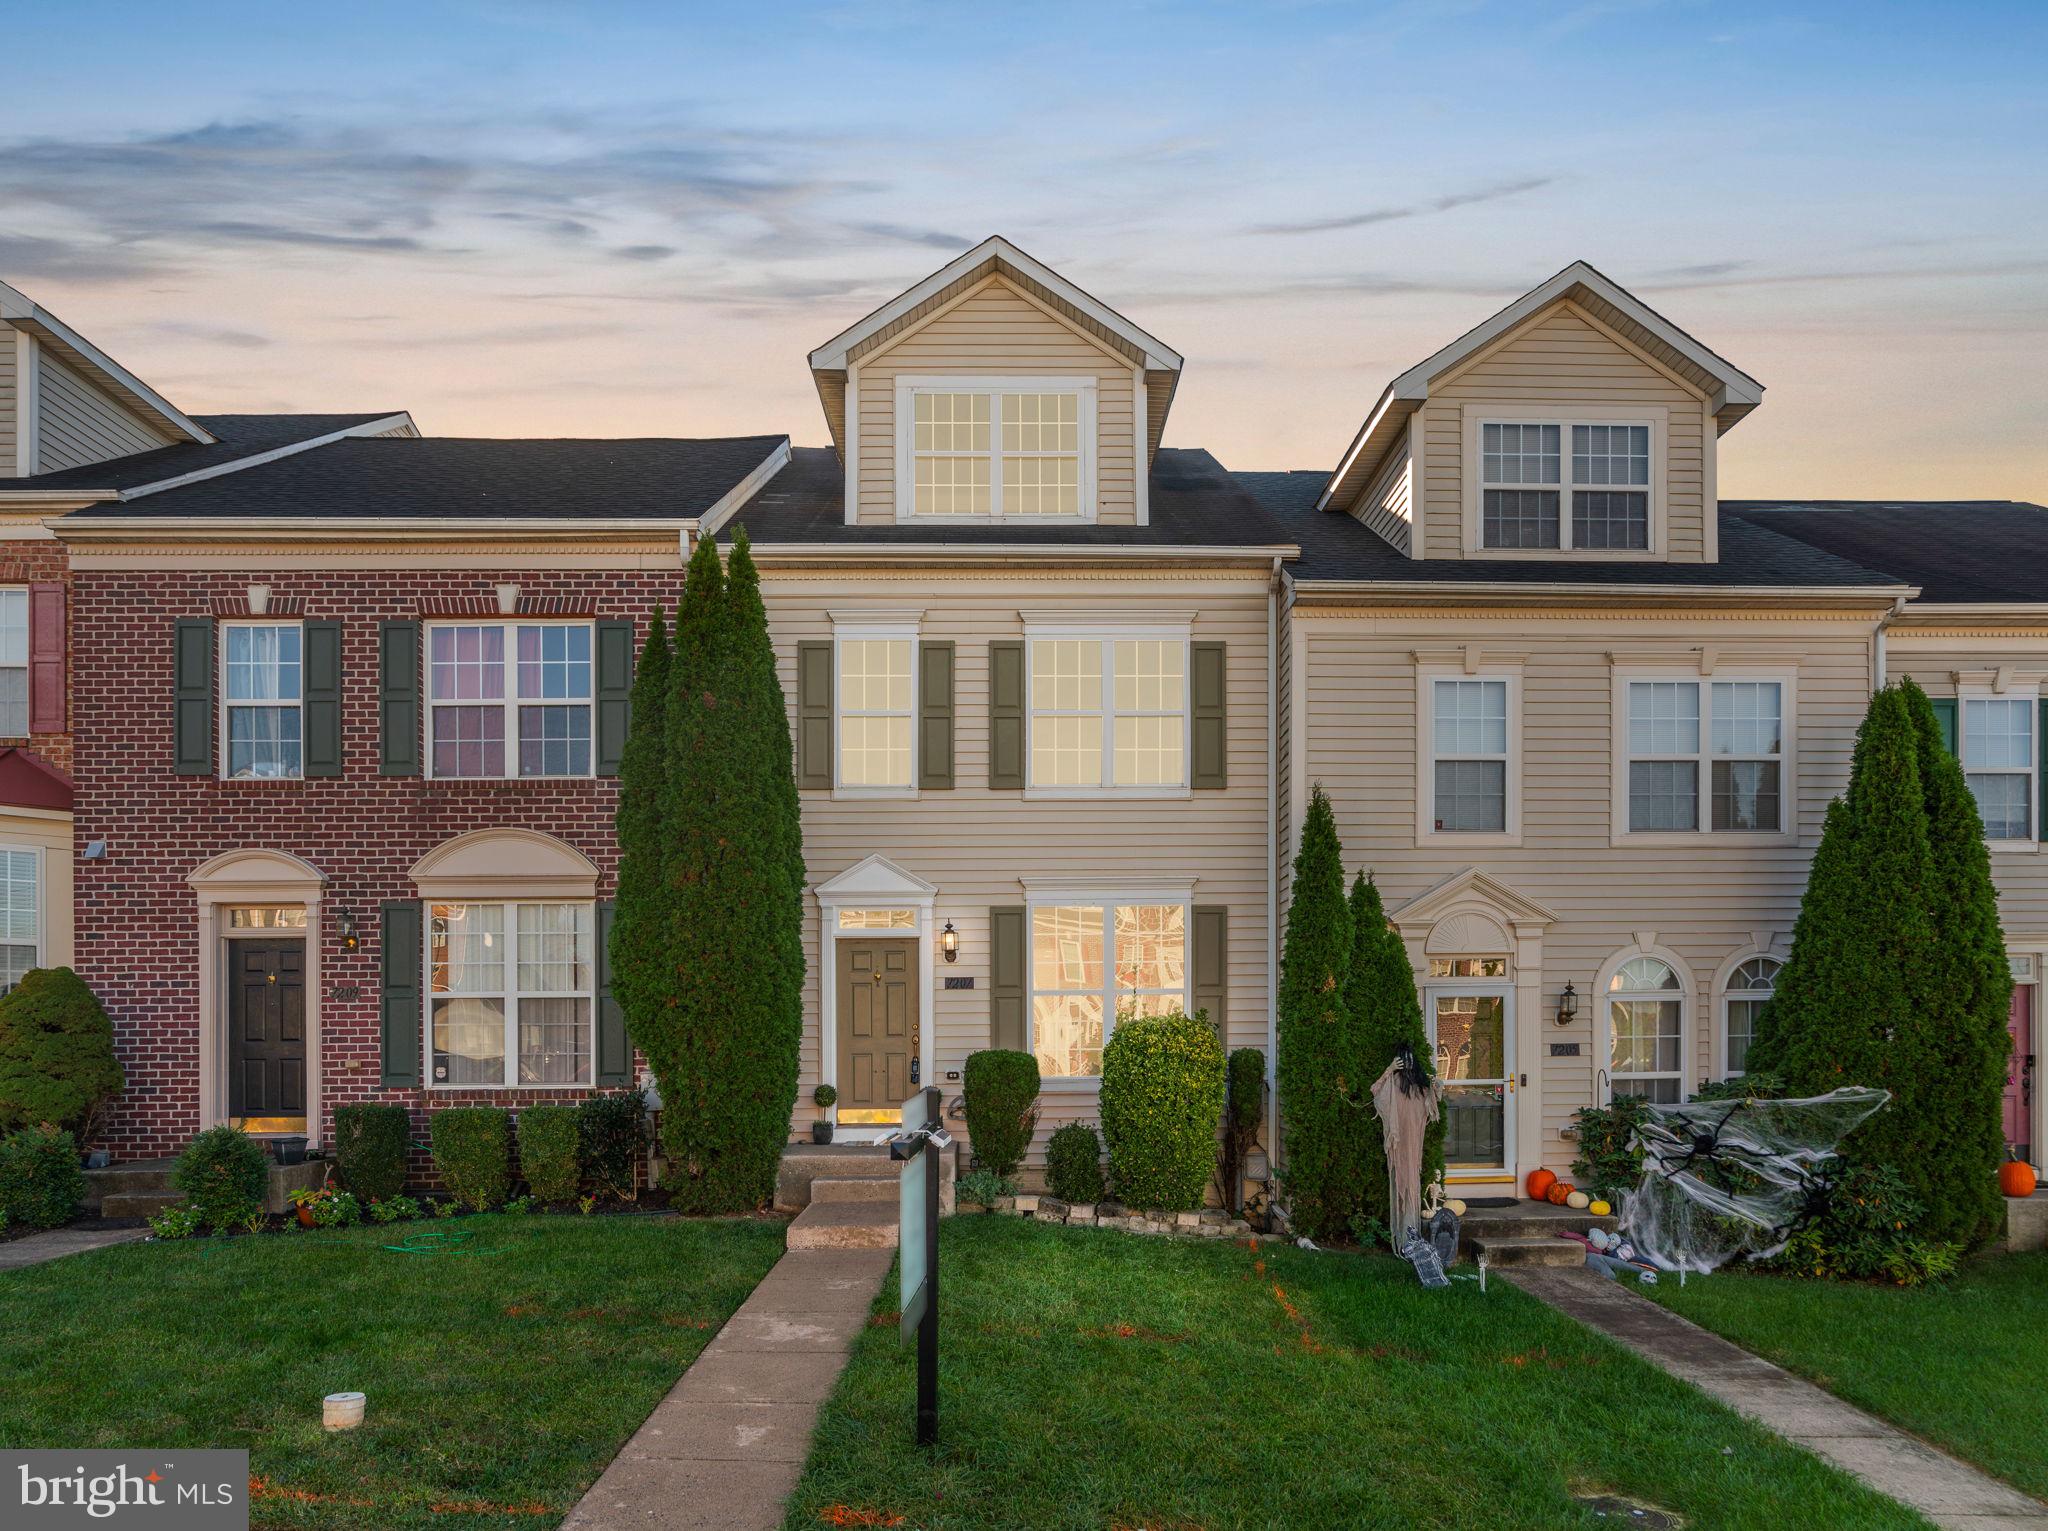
998,333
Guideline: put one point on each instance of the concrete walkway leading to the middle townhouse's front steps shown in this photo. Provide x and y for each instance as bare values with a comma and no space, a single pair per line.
724,1450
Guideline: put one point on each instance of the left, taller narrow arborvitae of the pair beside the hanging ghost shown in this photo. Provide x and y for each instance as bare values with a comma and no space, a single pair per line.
1316,1069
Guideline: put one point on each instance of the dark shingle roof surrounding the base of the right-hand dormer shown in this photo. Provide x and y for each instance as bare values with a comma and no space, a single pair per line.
1340,548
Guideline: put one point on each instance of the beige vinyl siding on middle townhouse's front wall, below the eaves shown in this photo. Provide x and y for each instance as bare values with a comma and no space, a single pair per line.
976,844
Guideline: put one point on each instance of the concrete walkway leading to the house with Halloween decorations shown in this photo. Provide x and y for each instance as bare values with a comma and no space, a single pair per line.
1947,1491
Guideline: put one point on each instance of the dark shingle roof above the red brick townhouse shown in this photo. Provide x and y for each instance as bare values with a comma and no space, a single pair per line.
472,478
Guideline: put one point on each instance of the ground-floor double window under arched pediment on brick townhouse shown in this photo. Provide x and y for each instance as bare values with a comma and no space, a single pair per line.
513,992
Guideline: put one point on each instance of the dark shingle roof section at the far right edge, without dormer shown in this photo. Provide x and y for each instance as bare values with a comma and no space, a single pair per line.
1953,550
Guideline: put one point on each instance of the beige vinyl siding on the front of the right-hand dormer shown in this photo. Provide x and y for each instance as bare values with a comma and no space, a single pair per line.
1564,359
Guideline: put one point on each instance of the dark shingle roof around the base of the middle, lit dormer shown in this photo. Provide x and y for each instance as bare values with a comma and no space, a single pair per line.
1193,502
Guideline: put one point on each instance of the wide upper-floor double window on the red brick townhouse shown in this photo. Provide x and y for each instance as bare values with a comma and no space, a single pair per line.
509,699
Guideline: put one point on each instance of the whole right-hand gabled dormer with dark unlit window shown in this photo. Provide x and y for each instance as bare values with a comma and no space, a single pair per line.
1576,425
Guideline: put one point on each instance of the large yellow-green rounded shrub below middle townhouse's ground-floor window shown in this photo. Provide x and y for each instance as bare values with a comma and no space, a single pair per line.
1162,1100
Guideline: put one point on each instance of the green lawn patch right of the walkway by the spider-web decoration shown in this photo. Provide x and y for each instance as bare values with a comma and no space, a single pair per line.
1963,1366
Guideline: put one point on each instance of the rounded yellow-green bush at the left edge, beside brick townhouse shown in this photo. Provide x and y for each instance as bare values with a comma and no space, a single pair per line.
56,1055
